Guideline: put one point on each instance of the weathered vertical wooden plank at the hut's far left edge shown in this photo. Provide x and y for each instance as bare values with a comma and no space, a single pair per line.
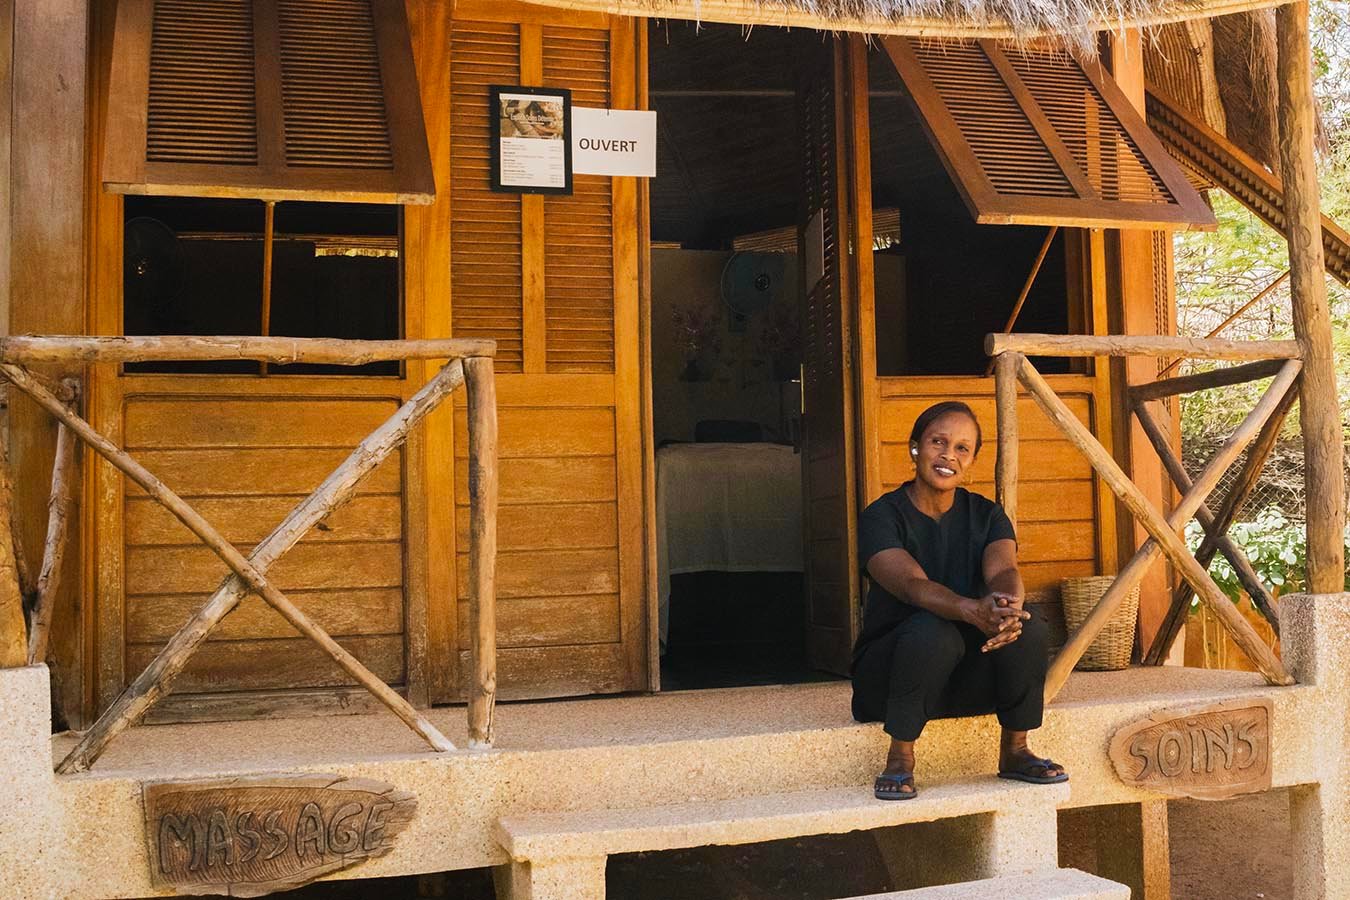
48,177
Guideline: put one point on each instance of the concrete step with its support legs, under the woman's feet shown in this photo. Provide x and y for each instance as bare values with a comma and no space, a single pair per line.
561,856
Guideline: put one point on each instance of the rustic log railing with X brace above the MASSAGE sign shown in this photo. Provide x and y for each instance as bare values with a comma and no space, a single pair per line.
470,365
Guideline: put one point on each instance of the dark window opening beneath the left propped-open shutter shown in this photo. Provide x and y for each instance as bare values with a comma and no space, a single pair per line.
196,268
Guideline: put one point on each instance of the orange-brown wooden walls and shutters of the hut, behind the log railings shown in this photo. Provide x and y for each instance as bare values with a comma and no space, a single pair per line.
326,172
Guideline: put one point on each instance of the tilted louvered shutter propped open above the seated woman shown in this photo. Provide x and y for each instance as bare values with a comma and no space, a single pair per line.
1040,138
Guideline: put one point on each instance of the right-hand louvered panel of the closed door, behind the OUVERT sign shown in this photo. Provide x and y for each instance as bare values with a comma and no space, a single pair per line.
578,229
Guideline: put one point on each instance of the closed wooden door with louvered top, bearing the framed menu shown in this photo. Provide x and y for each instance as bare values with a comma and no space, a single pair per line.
554,281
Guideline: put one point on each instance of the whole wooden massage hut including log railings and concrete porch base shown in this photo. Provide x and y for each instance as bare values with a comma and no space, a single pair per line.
848,198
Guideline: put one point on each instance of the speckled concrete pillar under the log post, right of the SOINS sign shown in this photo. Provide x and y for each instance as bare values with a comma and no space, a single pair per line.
1314,632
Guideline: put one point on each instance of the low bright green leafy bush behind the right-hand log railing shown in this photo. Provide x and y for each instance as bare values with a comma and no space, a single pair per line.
1276,549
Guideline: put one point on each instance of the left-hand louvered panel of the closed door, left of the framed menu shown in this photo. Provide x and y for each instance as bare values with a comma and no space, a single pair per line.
485,235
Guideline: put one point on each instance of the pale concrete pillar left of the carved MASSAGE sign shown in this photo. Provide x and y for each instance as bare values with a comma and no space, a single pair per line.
33,852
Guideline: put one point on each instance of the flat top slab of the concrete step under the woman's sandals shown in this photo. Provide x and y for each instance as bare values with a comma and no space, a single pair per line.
556,836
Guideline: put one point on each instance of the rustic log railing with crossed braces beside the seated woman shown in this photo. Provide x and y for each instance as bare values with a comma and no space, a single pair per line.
1278,360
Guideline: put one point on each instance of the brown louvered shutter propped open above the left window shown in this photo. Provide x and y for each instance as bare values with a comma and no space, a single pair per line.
283,101
